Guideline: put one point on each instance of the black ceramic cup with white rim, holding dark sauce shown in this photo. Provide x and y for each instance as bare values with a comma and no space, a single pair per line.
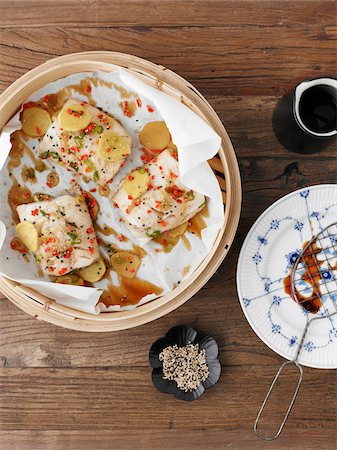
304,120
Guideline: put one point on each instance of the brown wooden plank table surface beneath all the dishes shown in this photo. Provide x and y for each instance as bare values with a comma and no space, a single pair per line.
63,389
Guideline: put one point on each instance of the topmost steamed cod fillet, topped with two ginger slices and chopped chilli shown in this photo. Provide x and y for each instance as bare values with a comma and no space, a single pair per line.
78,150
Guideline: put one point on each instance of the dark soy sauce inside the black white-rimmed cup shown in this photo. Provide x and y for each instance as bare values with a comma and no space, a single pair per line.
318,109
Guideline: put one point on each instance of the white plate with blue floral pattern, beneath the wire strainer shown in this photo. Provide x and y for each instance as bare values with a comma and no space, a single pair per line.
267,254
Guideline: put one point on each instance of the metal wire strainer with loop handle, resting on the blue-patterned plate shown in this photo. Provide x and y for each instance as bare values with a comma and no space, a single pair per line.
307,271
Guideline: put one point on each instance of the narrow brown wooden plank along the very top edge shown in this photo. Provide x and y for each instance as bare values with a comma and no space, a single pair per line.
206,13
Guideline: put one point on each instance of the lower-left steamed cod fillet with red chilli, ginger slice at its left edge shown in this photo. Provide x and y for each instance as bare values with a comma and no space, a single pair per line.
67,240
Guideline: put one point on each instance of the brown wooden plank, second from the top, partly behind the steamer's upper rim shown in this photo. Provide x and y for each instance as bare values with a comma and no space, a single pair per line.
212,59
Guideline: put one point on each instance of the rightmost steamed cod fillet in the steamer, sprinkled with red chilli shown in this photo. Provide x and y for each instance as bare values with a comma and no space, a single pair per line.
165,202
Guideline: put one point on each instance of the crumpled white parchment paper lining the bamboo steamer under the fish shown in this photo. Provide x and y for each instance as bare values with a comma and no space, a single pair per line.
196,142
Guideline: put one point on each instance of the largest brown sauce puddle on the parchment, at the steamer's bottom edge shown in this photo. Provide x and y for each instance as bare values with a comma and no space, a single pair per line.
129,292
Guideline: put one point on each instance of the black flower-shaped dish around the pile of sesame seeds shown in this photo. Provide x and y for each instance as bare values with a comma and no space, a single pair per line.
182,336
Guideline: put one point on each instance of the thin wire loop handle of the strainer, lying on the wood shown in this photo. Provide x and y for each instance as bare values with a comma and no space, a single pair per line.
300,376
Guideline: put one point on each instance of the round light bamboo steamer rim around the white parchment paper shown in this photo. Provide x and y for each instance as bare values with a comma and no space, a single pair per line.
224,164
